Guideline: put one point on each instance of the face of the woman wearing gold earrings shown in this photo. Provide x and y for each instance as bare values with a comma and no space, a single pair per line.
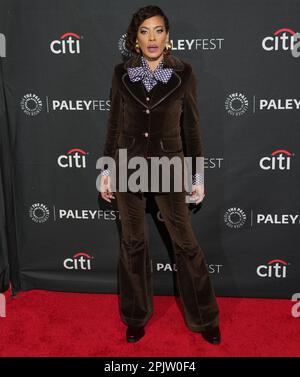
152,32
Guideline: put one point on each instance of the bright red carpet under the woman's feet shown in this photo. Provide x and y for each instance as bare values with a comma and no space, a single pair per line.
46,323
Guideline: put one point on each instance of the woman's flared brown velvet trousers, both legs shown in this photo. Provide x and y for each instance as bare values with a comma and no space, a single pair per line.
135,277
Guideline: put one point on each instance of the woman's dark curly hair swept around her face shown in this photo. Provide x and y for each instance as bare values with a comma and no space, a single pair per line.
137,19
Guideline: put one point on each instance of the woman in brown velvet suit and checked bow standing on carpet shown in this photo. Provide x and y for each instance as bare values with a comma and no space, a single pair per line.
154,113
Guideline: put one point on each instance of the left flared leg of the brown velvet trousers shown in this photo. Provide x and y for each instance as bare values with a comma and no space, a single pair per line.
134,266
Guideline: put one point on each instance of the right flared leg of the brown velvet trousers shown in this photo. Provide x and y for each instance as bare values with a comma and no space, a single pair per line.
196,291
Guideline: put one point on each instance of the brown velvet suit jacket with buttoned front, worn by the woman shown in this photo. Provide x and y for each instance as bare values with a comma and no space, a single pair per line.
165,125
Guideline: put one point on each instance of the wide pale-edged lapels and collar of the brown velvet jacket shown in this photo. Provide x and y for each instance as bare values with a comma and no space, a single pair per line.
161,90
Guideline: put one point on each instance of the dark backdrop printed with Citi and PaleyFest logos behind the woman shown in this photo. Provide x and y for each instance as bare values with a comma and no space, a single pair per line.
57,60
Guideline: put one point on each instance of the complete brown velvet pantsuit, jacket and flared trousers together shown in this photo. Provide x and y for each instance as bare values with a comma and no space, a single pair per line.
162,122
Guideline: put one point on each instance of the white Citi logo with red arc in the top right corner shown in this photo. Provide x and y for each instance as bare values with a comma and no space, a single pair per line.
282,39
